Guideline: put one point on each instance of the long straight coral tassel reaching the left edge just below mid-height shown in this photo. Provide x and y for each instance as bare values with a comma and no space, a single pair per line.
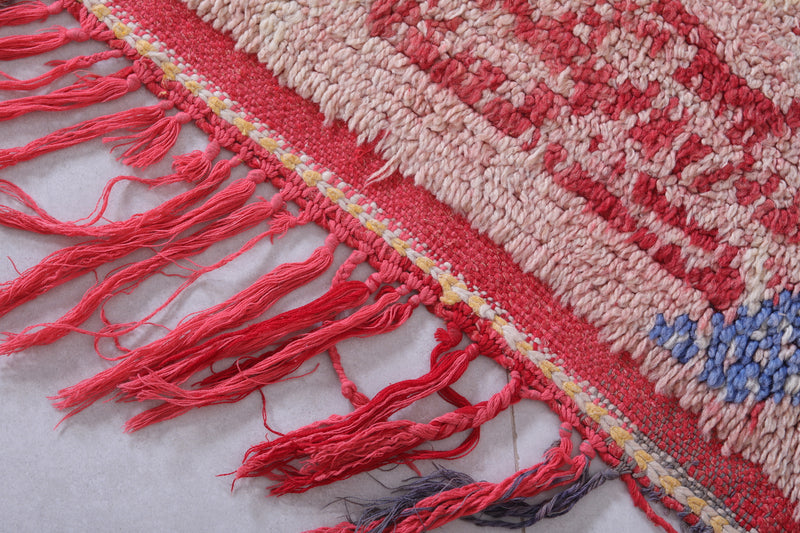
67,264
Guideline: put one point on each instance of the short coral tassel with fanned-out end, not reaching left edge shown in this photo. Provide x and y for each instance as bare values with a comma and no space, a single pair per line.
151,145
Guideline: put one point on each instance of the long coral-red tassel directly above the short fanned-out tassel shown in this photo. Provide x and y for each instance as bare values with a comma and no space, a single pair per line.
131,119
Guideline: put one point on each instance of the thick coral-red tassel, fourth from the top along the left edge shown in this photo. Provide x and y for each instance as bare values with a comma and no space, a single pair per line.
90,89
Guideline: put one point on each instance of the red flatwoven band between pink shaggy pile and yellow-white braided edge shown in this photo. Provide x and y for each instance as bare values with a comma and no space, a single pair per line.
738,483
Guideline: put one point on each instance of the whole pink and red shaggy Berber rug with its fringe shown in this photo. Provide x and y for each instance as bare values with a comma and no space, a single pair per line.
601,196
